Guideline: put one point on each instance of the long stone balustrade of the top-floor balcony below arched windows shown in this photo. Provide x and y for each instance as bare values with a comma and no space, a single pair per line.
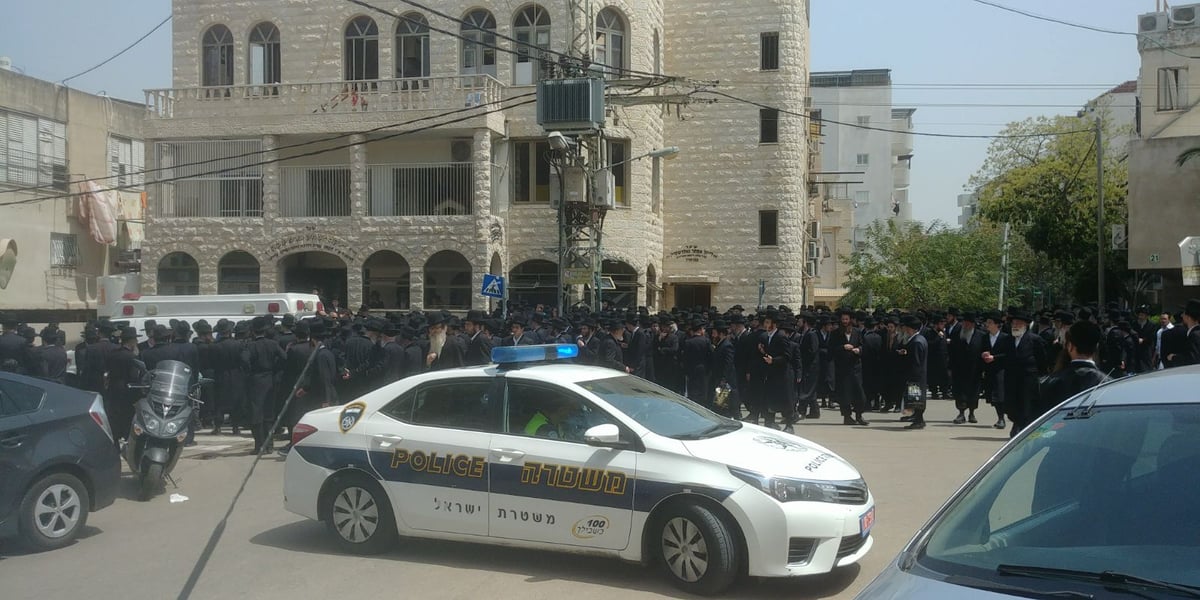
328,98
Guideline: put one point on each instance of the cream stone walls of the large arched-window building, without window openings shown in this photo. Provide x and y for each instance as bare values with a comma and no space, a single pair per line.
707,189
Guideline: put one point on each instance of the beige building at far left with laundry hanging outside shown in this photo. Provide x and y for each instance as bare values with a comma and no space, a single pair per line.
51,137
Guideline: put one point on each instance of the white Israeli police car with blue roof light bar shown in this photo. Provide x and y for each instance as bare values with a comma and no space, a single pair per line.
537,453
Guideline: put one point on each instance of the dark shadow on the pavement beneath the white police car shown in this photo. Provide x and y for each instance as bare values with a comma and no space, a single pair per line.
538,567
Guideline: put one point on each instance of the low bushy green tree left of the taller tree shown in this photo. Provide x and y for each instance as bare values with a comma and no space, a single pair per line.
916,267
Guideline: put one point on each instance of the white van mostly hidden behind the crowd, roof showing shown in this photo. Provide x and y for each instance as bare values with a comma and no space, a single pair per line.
137,310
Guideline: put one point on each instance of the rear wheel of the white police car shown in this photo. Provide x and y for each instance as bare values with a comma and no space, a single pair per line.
361,518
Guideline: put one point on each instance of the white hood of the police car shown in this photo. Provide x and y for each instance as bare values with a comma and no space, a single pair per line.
773,453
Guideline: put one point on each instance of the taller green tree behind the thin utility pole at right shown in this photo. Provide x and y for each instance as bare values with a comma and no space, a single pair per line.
1042,179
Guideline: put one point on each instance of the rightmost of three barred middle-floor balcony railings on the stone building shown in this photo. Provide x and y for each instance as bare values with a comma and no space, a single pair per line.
422,190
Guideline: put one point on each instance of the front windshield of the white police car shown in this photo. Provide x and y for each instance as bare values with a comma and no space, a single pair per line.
659,410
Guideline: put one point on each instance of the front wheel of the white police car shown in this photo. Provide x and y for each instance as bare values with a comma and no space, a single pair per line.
698,550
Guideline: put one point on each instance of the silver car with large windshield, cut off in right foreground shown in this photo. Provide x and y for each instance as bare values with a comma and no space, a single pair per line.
1100,499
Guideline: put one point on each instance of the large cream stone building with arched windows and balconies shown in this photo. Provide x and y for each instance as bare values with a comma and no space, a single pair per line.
392,160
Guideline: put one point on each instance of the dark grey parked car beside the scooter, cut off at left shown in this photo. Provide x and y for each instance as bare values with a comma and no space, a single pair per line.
58,461
